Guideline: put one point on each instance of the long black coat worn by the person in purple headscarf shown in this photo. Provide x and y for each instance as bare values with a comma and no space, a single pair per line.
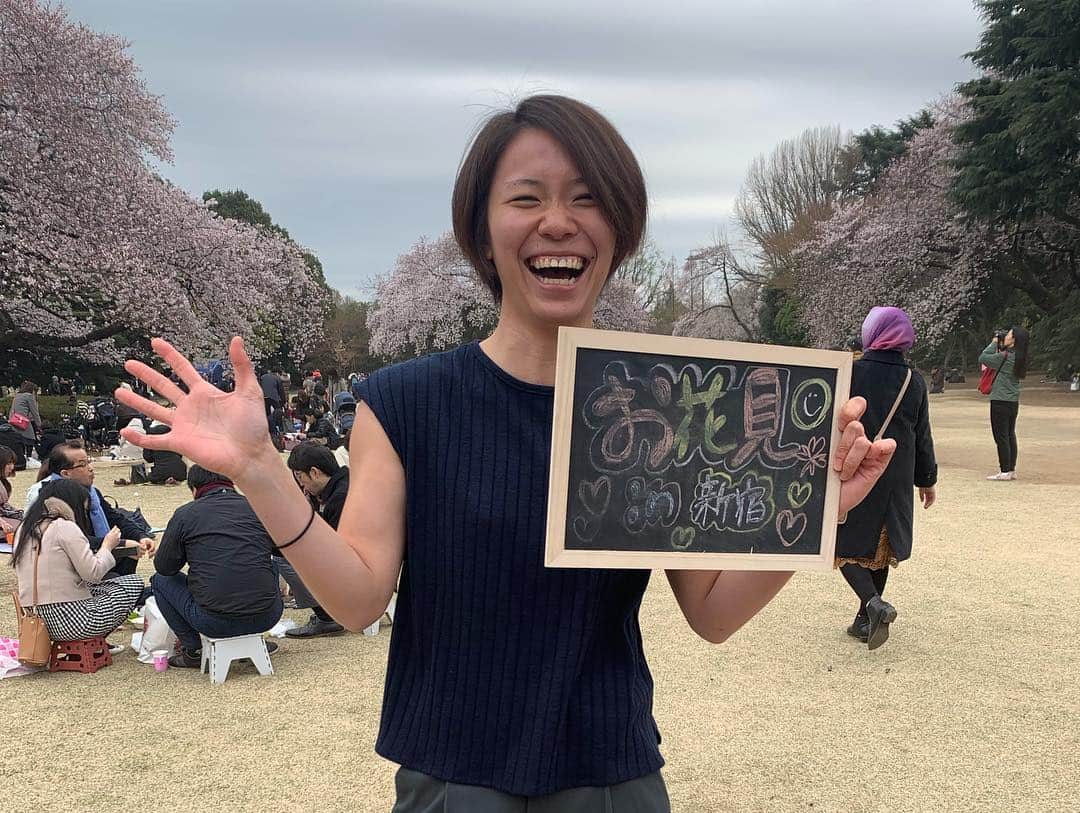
879,377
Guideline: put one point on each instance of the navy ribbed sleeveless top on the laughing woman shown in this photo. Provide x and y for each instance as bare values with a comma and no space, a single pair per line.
502,673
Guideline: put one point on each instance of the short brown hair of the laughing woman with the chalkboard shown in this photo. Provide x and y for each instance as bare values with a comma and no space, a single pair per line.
607,166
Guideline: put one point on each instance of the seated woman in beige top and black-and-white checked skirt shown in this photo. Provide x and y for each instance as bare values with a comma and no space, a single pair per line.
73,599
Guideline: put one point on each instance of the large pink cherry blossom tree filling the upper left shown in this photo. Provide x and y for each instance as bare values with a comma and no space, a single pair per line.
96,248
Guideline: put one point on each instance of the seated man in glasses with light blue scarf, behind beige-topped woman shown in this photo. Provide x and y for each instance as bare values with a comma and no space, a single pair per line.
71,462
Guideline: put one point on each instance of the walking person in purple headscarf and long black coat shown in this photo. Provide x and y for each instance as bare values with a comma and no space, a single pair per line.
877,534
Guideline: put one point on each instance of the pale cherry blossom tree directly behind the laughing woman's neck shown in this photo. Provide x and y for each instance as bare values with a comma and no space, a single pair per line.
435,300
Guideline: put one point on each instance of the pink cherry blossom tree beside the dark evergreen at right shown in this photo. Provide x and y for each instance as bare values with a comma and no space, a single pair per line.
906,245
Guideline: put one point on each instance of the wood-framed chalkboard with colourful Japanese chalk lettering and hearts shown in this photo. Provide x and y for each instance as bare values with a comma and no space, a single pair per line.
693,454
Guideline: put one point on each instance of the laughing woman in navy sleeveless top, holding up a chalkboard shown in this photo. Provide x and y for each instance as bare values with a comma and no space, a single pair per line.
508,684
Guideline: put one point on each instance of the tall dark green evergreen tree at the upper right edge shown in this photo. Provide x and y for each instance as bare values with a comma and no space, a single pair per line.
1019,167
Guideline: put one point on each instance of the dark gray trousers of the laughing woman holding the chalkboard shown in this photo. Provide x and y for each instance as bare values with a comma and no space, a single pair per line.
418,793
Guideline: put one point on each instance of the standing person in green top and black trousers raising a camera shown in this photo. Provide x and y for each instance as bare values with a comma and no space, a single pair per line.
1006,355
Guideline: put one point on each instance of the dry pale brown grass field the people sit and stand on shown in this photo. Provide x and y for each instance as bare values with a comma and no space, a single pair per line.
973,706
